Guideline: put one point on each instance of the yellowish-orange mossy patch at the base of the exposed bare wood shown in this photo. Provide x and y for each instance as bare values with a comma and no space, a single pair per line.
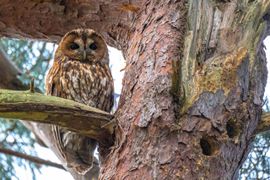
217,73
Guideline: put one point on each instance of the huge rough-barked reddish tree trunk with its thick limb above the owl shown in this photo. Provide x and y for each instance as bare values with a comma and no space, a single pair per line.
194,81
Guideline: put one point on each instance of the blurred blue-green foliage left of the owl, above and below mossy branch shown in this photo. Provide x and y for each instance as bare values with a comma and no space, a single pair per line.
32,58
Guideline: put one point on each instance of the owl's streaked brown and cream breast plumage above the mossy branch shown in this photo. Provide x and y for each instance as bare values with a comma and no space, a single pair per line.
90,84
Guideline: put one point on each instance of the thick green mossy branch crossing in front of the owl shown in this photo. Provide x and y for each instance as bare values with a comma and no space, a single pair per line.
54,110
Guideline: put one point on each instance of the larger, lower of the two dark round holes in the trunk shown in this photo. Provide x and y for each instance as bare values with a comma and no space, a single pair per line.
209,146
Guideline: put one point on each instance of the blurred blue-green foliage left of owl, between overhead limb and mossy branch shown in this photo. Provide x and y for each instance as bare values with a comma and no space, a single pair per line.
31,57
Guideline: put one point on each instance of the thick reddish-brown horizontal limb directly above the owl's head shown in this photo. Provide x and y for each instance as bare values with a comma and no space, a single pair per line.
46,19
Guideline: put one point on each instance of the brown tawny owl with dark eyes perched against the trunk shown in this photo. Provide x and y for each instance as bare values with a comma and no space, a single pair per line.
80,72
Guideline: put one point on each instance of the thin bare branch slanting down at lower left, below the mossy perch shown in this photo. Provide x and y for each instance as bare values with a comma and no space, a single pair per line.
30,158
